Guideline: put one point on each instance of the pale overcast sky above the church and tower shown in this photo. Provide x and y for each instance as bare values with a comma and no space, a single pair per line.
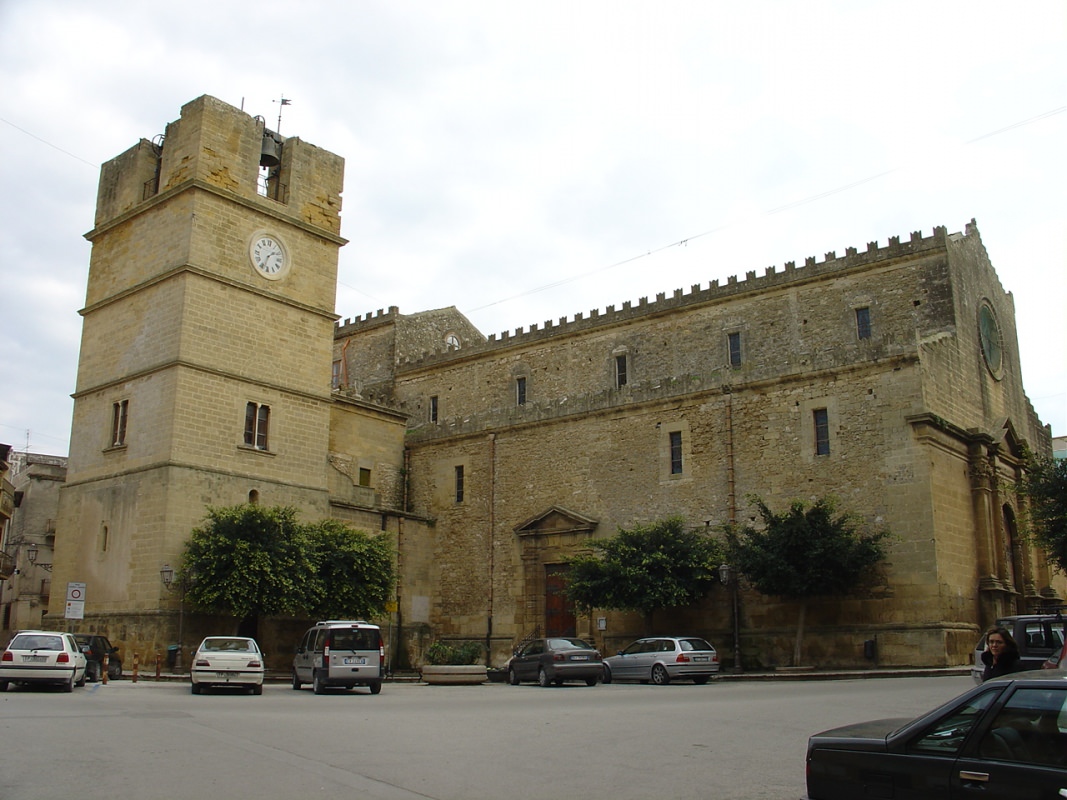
530,162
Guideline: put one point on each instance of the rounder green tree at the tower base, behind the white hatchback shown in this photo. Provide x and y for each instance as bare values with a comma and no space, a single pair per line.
249,562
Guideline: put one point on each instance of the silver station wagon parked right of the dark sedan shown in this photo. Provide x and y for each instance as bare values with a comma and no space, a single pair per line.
661,660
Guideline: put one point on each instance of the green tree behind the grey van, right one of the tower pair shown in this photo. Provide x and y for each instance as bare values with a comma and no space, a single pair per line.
354,572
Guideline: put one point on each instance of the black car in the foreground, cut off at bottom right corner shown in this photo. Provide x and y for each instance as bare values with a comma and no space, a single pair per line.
1005,740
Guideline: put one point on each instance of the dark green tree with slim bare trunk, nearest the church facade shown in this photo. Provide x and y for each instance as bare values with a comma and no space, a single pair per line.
804,553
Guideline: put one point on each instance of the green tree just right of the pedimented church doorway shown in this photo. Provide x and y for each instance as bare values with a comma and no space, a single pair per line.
645,569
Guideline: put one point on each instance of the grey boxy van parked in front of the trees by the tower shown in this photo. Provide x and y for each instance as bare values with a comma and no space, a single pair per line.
341,653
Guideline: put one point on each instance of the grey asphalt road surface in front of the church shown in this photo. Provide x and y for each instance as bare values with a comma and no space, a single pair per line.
724,741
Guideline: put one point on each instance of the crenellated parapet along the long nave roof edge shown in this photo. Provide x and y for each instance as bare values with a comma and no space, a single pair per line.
698,295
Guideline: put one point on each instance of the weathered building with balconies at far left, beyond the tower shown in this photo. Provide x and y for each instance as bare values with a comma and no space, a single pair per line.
30,541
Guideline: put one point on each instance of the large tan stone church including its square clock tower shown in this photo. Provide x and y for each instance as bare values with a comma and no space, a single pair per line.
214,372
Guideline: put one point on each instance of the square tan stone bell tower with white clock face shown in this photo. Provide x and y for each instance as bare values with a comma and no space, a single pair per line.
206,354
